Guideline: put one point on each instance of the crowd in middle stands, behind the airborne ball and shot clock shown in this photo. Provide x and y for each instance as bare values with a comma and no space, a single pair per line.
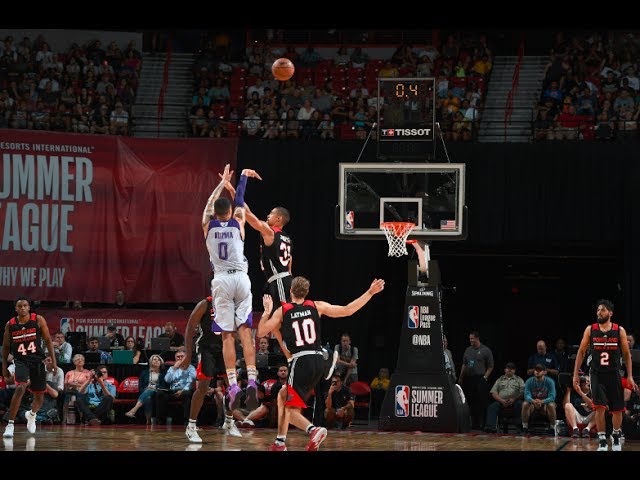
331,98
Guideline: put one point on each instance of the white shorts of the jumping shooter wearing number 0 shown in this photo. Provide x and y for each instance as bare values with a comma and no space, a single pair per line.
232,300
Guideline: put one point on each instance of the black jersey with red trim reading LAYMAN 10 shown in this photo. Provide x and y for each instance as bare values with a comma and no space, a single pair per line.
301,327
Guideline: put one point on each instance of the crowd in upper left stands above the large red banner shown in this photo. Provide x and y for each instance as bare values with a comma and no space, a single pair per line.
85,89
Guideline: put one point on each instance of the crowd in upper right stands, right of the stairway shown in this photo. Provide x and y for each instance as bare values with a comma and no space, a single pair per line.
591,89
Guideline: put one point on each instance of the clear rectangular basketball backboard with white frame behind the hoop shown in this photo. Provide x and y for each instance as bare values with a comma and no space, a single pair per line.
430,195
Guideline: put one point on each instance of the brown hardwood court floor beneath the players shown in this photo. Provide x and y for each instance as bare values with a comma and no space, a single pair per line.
128,438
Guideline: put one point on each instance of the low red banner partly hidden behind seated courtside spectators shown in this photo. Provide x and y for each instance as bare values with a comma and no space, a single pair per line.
146,324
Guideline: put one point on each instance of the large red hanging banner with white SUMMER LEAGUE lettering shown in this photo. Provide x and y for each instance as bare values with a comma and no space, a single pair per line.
82,216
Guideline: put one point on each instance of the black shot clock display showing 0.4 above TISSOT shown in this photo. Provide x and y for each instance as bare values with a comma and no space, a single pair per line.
407,114
